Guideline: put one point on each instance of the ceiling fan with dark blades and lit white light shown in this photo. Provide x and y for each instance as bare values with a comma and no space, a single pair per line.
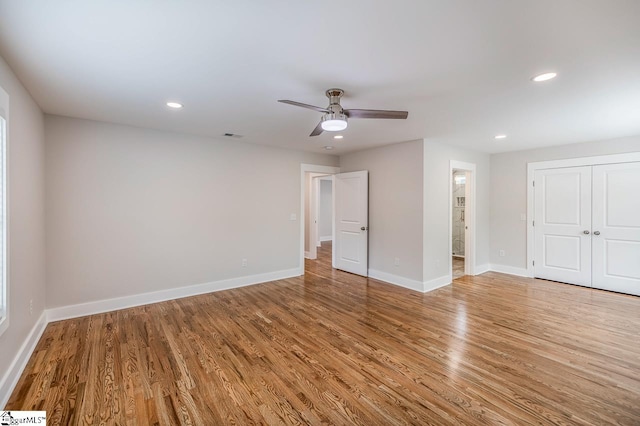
334,117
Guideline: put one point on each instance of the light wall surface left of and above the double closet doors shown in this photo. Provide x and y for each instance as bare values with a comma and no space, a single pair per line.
509,192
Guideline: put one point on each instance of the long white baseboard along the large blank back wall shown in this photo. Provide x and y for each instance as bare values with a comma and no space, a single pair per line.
100,306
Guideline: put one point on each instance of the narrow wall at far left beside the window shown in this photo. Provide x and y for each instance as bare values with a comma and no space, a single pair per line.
26,224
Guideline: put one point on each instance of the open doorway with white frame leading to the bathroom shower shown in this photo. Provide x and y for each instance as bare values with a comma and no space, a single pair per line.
462,219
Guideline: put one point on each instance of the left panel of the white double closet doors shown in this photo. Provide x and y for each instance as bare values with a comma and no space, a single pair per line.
563,225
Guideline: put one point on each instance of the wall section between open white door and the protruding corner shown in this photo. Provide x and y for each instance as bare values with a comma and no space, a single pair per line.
395,206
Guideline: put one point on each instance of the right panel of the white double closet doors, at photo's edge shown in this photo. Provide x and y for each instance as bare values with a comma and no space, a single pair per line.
616,227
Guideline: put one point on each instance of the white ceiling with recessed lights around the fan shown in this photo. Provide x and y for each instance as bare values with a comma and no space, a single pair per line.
461,68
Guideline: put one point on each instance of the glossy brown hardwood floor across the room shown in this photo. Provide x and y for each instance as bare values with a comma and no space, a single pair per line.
331,347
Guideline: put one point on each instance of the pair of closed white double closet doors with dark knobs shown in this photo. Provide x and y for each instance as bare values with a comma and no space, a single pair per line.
587,226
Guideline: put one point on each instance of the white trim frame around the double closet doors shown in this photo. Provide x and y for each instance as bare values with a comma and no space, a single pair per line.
558,164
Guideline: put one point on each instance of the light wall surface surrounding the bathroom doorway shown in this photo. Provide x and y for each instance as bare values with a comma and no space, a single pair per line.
437,175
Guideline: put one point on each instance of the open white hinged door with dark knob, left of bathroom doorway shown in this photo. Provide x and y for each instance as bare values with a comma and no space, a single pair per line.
351,215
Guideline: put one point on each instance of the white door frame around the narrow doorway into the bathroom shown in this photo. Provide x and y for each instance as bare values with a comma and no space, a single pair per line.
469,216
